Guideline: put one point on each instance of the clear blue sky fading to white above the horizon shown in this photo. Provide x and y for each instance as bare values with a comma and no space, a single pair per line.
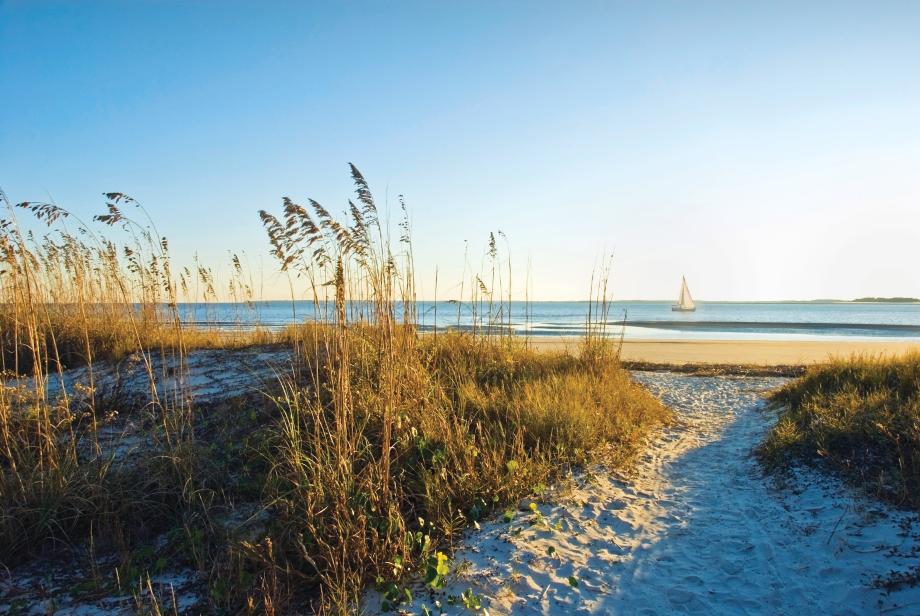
767,150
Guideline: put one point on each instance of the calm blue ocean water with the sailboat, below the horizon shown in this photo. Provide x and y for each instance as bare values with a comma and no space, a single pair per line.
633,320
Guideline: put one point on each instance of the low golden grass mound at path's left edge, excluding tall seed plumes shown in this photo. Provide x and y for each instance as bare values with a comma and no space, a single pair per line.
475,424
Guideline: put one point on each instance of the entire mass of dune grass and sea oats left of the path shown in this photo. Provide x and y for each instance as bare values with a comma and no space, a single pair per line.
359,468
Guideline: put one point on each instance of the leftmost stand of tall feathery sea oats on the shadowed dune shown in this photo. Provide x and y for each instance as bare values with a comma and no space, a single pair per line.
74,297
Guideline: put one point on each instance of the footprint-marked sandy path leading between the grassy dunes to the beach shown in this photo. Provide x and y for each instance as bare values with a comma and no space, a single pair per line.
696,528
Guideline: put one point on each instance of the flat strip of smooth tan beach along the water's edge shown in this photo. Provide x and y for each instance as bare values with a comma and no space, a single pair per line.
754,352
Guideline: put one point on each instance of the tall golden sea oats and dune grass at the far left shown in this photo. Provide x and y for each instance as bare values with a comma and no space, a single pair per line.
79,295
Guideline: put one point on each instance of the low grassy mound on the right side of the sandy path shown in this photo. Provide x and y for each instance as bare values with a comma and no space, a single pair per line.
861,416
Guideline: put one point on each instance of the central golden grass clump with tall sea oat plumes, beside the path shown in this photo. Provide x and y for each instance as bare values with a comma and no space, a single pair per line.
445,428
